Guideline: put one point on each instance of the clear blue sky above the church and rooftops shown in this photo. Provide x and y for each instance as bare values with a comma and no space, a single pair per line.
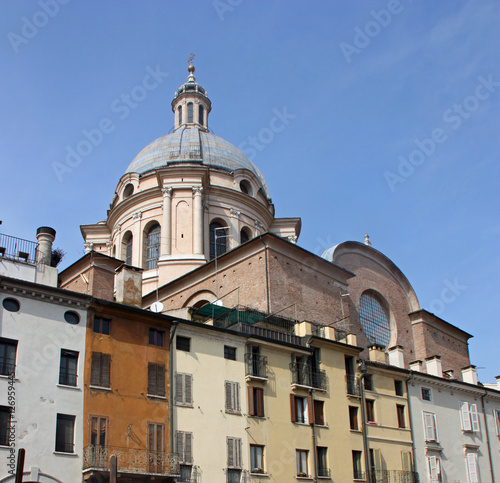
392,129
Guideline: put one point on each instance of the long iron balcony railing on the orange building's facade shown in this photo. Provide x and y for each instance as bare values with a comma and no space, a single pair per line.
137,461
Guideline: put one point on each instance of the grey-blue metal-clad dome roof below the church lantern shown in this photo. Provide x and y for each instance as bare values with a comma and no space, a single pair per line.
192,145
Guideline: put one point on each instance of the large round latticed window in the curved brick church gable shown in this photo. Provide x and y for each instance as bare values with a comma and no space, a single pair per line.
374,320
